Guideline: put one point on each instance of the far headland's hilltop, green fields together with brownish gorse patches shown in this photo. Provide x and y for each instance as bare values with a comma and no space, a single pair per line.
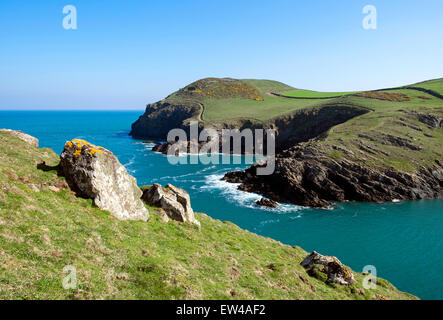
229,99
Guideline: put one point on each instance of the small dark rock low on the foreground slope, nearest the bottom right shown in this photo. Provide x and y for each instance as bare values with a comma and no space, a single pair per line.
335,271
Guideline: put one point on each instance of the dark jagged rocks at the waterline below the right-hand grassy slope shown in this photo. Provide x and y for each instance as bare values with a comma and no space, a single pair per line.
306,176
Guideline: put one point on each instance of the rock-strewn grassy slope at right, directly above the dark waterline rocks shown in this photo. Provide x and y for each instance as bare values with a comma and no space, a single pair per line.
388,118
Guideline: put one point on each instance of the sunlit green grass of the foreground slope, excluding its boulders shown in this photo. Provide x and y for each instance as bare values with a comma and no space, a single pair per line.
43,231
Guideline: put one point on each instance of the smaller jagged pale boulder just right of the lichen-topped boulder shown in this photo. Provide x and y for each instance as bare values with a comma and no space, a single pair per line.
174,201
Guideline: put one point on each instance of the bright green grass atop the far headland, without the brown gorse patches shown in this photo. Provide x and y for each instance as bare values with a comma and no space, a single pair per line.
232,109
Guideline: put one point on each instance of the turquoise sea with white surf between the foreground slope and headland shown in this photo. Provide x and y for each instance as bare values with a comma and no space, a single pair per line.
403,240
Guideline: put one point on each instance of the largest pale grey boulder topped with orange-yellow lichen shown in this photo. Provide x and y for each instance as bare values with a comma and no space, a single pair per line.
95,172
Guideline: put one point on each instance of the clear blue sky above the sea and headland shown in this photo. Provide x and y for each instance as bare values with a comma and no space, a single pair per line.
125,54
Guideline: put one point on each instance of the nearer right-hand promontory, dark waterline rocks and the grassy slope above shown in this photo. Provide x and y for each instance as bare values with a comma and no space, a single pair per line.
397,157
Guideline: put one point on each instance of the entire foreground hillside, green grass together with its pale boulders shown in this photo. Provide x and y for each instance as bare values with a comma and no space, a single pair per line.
70,212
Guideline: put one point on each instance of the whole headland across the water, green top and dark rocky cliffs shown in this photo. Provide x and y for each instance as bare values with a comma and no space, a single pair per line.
373,146
